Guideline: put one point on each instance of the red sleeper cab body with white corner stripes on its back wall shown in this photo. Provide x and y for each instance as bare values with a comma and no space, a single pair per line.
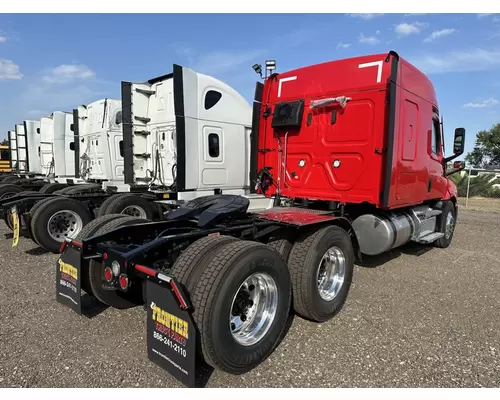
340,153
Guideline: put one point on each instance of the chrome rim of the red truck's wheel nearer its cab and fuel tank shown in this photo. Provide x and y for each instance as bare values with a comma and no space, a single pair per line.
331,273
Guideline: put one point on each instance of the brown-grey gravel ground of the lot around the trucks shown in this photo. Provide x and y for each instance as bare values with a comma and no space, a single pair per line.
413,319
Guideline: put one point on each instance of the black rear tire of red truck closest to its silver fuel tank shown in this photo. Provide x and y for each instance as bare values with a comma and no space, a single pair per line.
305,262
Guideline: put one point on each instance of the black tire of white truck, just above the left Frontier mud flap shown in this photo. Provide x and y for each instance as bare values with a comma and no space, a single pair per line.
42,215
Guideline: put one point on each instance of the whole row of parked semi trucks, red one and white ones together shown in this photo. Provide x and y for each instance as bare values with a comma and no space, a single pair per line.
220,218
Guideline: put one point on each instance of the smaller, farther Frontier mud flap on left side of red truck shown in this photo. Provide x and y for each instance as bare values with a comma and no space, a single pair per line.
68,278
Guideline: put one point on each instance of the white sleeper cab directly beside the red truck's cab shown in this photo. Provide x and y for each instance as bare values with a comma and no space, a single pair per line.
187,132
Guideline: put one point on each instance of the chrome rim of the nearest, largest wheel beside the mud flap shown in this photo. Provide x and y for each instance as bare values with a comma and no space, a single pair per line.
253,309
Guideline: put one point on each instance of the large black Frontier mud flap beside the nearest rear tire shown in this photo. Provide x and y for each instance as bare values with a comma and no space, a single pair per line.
172,335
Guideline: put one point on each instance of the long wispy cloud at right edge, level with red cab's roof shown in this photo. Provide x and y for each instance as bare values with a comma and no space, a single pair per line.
458,61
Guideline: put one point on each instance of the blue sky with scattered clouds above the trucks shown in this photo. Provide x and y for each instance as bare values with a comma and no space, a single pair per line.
52,62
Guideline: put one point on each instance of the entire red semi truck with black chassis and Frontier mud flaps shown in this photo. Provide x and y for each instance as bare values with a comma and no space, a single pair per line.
351,152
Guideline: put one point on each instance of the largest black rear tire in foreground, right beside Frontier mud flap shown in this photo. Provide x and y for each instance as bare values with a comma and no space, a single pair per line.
213,296
